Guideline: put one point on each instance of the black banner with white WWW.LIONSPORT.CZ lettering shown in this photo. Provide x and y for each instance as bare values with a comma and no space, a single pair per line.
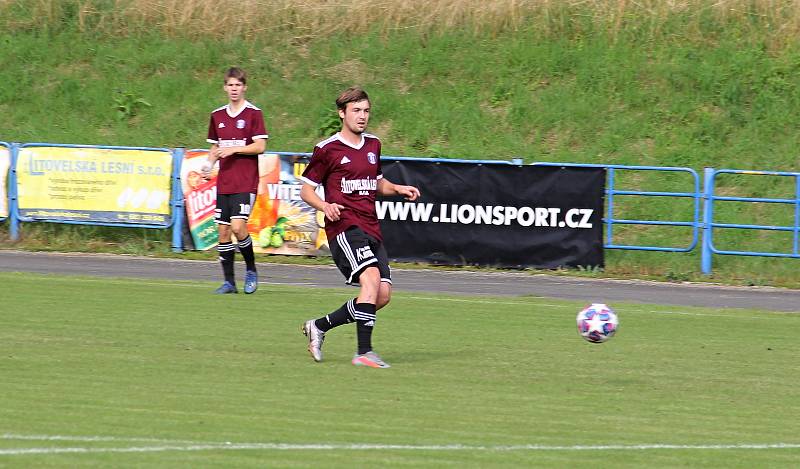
495,215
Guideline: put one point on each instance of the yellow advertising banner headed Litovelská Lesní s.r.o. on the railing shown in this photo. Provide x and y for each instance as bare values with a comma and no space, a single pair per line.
94,185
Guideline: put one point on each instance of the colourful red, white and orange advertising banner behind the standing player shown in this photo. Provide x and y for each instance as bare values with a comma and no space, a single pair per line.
280,222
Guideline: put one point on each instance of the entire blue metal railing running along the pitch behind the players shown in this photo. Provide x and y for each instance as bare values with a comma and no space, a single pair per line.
701,223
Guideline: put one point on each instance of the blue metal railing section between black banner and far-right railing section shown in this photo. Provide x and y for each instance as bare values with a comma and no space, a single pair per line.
612,191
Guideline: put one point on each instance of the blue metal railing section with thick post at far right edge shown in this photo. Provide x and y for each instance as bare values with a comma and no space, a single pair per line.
709,225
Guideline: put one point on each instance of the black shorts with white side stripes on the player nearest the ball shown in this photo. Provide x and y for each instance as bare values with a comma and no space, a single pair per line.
353,251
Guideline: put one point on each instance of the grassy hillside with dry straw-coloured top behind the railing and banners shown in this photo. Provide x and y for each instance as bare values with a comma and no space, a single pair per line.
697,84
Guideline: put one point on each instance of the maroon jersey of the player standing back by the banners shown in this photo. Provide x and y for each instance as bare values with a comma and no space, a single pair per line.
237,173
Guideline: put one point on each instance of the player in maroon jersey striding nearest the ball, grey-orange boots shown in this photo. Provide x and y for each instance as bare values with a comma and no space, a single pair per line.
347,166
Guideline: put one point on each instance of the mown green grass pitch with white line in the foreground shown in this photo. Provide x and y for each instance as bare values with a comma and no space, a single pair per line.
99,372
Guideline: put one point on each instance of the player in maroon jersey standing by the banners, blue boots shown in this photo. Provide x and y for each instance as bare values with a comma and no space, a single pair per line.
237,136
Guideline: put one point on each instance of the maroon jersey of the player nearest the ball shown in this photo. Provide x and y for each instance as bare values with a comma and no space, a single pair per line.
349,175
